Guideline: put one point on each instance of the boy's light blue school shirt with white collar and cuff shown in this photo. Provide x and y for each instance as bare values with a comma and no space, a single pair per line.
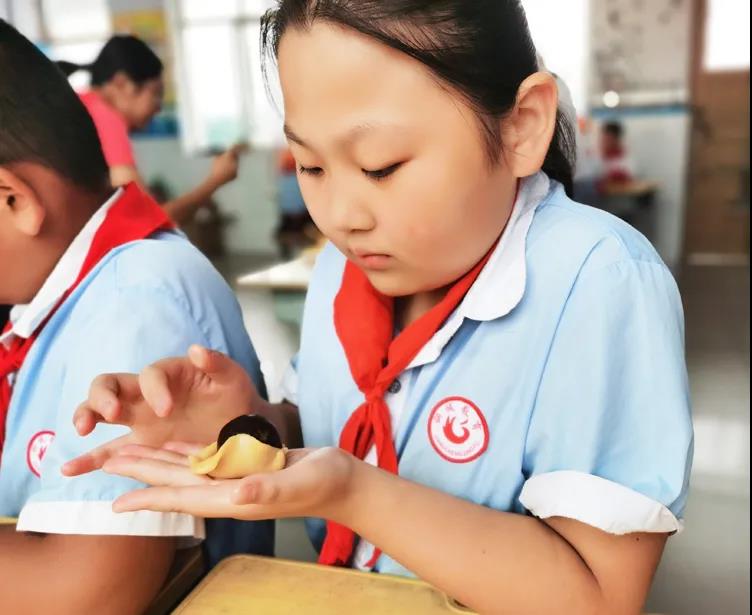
145,301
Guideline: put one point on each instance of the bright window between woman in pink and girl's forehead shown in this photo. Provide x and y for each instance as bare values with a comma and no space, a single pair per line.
223,97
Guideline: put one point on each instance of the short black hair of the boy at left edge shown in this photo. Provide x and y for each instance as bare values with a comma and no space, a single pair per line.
42,119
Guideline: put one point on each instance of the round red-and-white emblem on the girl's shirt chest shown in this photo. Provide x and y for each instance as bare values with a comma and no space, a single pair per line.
458,430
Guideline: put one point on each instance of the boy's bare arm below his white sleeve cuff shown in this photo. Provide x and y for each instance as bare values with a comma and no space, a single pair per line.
67,574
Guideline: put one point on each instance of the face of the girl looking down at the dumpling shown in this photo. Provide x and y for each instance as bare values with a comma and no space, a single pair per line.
392,164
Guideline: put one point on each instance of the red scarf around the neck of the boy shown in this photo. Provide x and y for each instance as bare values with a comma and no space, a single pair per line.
132,217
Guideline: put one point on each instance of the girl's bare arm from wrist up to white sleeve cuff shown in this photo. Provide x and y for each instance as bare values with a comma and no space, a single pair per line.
499,562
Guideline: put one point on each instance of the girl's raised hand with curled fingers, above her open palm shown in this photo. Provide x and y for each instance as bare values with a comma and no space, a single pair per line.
187,399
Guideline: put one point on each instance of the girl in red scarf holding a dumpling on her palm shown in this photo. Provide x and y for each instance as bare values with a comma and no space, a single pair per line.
490,382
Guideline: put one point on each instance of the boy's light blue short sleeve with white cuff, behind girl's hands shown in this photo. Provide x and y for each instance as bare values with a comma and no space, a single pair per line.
138,327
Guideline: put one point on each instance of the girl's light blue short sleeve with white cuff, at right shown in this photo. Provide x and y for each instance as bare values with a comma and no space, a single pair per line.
610,438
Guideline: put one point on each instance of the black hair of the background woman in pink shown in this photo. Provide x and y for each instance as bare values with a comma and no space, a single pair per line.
122,53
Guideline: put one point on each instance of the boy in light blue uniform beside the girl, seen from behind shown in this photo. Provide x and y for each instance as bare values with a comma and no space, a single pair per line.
100,282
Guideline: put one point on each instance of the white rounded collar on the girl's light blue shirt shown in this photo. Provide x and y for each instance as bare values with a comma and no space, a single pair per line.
501,285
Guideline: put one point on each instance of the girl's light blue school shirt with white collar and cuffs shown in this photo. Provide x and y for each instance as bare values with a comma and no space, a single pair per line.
558,386
